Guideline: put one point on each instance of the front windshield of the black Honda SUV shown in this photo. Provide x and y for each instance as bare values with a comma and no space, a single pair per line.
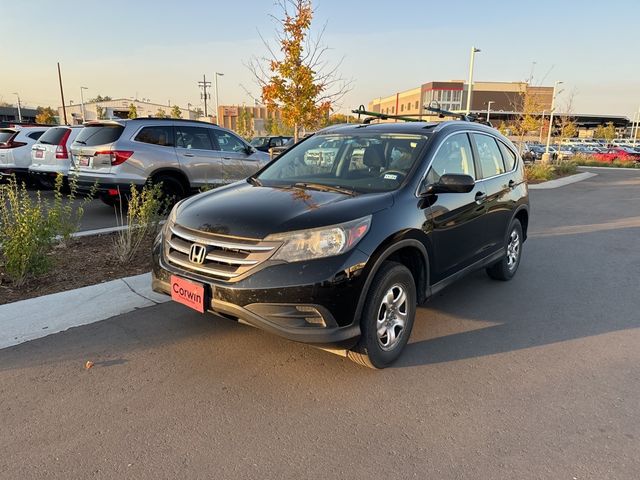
361,163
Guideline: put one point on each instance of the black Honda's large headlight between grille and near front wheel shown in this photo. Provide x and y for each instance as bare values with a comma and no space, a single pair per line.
320,242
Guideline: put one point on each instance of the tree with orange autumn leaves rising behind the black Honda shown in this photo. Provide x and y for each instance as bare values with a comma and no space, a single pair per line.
295,81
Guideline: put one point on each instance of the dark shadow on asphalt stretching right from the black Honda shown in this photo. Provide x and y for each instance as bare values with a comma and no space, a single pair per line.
563,291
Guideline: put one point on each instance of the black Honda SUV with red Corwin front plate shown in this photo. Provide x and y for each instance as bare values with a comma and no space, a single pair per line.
336,241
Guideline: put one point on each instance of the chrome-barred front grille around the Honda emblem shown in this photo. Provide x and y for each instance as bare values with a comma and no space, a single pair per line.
226,257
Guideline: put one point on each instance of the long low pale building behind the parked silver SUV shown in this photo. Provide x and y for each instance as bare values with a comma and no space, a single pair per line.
118,108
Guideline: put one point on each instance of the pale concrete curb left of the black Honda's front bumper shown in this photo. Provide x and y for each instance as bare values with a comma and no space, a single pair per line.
41,316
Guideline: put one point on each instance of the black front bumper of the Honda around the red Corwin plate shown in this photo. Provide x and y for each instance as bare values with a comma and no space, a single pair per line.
278,297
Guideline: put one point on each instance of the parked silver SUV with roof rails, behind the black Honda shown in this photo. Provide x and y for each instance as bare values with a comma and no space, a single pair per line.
183,155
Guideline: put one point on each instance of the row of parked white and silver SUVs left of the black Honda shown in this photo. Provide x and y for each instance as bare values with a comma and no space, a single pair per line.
183,155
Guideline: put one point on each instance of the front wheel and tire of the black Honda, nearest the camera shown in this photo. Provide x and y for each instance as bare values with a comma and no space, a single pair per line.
379,350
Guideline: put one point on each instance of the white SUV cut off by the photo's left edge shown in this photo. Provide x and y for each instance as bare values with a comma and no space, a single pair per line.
15,148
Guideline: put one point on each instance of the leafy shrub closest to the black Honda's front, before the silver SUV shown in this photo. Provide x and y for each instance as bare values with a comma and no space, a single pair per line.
144,210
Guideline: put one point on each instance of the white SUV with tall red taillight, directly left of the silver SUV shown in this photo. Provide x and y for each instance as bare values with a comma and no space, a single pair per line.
50,155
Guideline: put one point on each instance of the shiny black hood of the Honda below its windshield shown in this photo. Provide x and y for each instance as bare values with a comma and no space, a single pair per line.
246,210
